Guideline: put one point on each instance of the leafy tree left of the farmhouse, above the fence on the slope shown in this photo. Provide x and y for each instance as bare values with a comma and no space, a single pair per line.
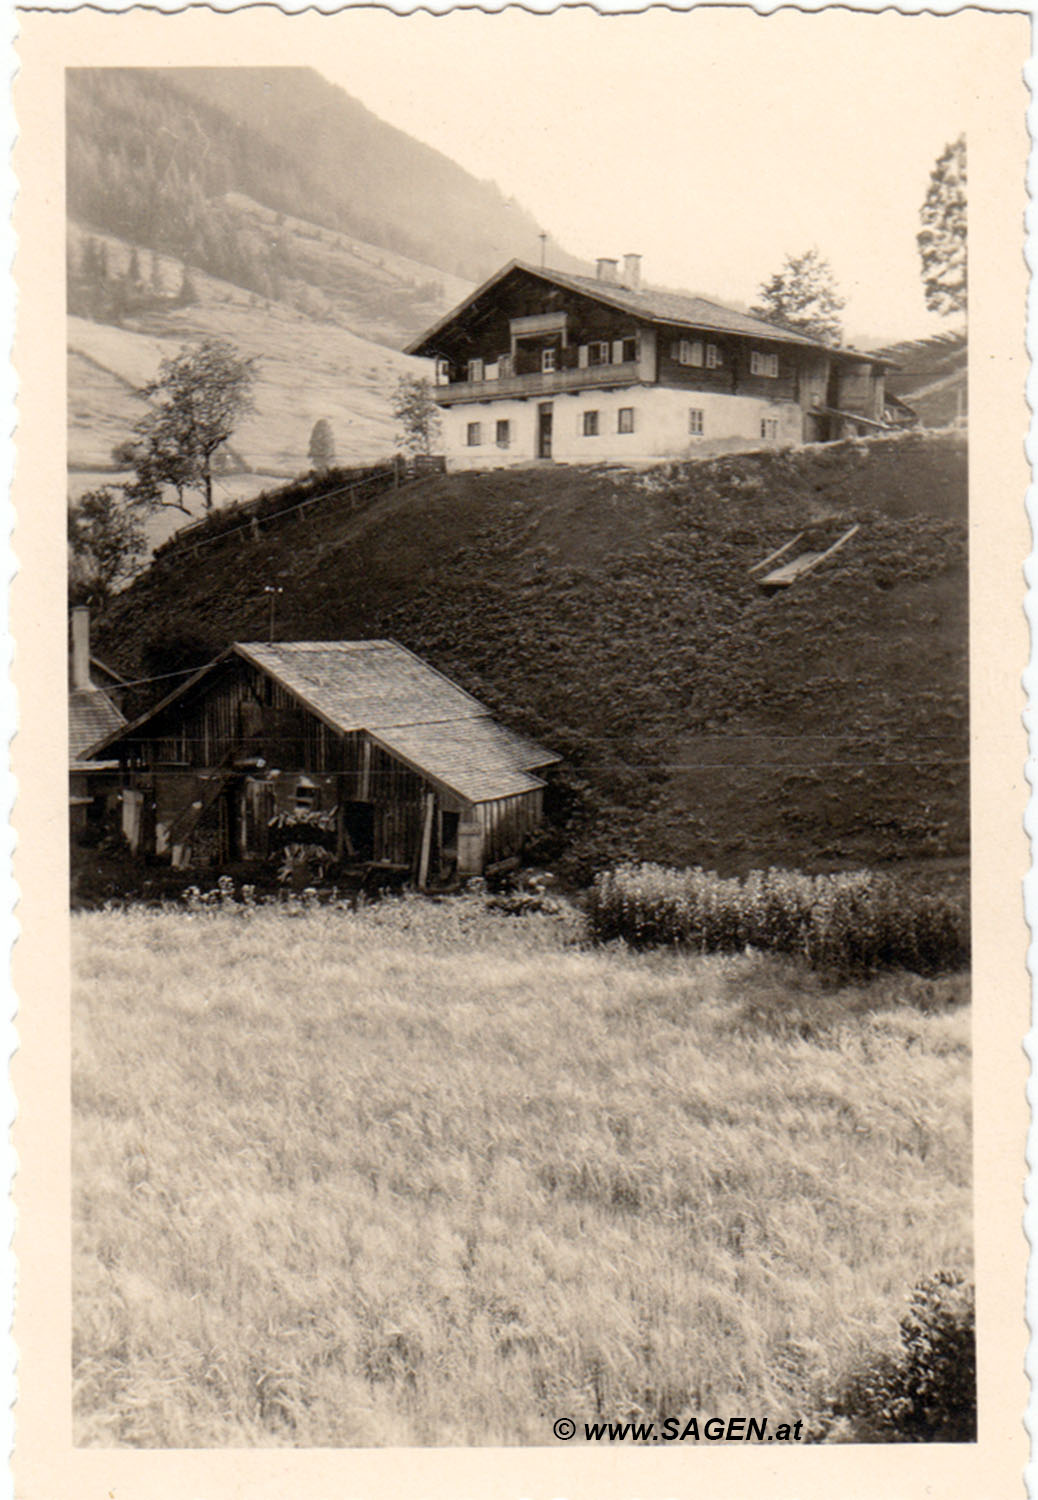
199,398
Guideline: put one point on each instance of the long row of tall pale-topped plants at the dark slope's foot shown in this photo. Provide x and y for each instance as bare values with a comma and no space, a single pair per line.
853,925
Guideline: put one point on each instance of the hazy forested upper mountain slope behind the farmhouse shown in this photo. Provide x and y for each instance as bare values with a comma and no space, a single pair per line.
152,154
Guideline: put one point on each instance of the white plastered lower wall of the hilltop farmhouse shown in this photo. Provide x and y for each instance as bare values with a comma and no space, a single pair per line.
661,422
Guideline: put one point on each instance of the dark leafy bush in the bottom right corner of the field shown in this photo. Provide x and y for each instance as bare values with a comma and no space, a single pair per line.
928,1393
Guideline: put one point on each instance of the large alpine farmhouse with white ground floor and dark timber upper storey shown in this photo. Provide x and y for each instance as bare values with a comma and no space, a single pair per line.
541,365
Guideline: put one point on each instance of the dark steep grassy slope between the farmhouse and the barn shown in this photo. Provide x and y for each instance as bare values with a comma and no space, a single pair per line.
613,617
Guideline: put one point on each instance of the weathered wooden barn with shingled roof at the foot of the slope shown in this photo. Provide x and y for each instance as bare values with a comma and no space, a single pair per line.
361,739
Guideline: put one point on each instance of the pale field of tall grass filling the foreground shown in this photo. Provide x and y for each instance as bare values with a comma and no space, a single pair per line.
434,1175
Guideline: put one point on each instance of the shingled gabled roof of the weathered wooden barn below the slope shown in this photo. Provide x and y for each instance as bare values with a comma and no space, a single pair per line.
407,707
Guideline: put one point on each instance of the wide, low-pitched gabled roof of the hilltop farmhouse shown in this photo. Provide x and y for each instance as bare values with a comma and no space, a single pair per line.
655,307
